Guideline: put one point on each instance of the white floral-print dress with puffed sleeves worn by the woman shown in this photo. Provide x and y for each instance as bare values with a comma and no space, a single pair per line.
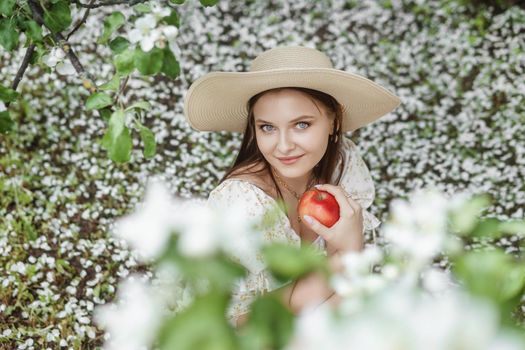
356,180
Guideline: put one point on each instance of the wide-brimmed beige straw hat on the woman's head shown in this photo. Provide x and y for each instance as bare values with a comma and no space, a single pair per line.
217,101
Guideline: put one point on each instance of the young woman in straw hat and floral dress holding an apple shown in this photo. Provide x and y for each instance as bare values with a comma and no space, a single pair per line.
293,108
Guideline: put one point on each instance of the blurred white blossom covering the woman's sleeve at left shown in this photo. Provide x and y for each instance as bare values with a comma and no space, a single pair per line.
201,230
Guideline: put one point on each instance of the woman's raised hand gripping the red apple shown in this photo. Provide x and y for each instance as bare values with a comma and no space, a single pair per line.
347,233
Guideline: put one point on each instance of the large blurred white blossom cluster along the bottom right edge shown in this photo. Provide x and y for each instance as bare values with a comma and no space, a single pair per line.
404,318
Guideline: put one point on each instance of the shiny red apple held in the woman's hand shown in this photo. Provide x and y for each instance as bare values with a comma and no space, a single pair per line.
319,204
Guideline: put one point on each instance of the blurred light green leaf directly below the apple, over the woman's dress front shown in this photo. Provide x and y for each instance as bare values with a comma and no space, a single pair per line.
289,263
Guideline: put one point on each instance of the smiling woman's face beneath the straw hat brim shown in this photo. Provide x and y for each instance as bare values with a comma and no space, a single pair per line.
289,124
